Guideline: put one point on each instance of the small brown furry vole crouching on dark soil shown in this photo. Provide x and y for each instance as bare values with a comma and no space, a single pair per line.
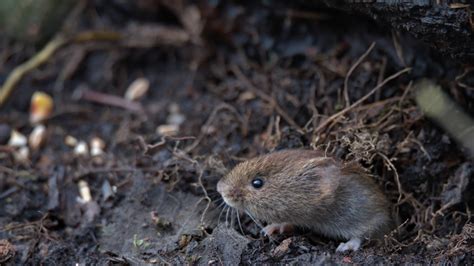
306,189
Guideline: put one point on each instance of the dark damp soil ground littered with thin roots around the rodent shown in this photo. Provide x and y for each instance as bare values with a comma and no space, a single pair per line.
233,81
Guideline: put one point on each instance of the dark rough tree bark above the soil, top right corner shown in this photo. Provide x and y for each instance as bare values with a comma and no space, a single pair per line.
447,27
